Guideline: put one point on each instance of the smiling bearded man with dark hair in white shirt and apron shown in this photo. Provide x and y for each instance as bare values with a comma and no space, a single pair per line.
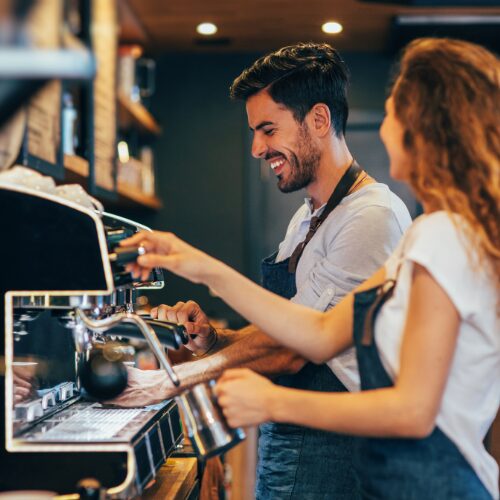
297,109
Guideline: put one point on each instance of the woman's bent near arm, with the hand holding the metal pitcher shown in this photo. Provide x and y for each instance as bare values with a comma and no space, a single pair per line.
407,409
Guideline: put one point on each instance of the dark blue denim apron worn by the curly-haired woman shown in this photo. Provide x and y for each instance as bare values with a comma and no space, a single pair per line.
397,468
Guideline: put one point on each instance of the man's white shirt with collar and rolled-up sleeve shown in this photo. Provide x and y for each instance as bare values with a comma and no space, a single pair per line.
352,243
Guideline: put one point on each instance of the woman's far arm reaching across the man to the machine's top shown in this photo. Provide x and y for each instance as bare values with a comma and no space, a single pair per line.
314,335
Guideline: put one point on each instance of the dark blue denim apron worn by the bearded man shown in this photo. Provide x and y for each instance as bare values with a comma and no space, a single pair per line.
297,462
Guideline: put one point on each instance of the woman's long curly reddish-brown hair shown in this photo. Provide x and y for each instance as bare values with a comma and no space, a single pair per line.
447,98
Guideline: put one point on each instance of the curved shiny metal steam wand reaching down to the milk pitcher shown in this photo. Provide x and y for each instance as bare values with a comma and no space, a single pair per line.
103,325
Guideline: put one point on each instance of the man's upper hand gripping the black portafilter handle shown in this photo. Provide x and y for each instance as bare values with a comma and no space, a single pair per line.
202,336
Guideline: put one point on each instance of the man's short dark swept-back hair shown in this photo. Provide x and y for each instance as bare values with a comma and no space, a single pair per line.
300,76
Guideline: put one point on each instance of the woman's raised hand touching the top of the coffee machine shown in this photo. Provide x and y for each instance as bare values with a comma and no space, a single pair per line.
167,251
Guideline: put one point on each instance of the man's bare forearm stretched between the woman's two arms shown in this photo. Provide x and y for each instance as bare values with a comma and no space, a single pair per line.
254,350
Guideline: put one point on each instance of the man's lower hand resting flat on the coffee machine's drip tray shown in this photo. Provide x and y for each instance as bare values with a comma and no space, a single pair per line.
145,387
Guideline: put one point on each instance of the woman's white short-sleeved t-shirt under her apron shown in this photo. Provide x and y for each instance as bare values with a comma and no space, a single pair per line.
472,394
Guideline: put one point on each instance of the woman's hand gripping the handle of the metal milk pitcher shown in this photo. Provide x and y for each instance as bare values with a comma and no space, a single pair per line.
245,397
